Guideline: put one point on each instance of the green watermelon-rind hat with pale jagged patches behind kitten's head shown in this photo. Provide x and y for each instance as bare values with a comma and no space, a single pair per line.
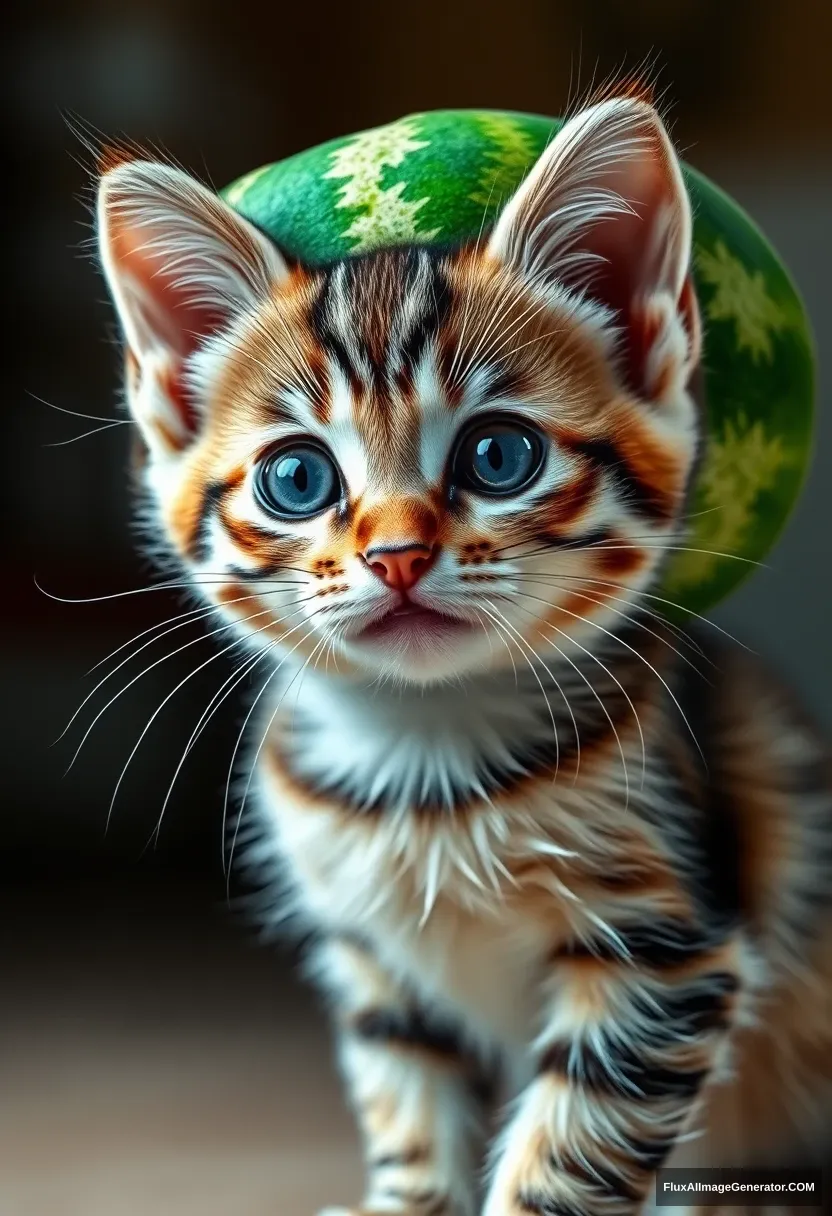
439,177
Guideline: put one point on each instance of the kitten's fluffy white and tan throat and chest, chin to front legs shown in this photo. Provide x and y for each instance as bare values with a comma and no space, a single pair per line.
413,821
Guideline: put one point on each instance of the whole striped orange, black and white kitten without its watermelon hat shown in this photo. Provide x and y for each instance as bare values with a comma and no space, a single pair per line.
434,489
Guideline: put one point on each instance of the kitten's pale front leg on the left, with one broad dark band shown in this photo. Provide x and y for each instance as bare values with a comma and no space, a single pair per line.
413,1088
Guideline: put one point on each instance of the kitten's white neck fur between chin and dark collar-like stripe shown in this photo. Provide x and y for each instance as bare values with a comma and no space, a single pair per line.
442,746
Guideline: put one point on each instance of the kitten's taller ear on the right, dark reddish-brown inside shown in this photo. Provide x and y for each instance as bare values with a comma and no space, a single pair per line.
605,215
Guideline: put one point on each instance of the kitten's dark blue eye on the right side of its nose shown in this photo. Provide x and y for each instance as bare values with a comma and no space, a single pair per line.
499,458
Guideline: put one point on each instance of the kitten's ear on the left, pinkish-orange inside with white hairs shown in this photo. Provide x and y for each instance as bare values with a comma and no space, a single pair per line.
181,267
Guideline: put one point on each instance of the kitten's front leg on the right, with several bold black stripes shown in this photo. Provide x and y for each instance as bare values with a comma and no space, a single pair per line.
622,1060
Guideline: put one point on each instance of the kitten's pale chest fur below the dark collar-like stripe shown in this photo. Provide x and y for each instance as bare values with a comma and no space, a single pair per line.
449,934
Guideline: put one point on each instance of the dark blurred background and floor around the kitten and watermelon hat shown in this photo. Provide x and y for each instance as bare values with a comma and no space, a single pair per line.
154,1057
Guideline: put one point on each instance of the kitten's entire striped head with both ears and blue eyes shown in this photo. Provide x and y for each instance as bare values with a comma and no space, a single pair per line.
426,463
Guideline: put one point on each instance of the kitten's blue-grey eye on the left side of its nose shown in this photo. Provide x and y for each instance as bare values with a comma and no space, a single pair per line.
297,482
